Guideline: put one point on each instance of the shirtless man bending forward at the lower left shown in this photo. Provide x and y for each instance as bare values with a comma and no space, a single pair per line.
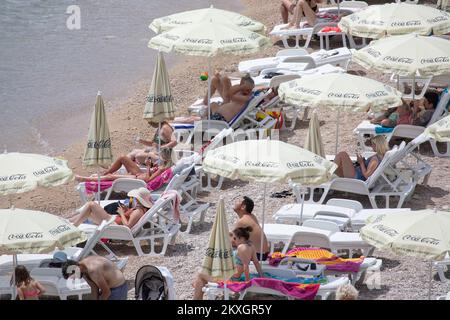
106,280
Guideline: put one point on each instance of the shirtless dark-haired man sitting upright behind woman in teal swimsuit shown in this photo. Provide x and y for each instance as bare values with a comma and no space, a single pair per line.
243,209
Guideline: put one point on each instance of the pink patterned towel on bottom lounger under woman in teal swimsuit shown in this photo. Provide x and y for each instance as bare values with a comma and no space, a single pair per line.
296,290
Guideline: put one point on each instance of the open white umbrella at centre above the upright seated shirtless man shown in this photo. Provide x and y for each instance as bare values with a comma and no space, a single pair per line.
268,161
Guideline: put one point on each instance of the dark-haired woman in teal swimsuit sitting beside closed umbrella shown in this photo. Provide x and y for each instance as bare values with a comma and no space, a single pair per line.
244,254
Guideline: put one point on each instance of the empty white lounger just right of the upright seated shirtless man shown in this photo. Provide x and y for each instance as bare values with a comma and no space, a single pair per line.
300,235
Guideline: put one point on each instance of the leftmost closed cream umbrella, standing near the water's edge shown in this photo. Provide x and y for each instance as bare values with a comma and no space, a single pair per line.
98,148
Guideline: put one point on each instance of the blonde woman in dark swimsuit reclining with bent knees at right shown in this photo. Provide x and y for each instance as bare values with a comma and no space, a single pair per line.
364,168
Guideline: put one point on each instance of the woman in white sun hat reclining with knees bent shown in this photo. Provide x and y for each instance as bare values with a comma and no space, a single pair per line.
128,216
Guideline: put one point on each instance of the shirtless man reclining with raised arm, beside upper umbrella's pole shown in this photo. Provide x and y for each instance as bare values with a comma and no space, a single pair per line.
234,97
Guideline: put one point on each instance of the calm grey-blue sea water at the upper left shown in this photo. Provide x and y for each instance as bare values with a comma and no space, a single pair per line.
52,64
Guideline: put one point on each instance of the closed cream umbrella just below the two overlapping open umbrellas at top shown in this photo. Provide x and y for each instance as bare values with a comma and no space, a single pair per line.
159,106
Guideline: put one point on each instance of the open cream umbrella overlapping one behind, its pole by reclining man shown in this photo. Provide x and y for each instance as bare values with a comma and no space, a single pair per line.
208,39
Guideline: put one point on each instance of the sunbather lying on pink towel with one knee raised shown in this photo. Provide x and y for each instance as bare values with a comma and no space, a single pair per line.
134,171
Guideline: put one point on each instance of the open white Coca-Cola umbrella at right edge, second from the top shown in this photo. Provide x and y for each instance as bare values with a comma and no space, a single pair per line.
406,55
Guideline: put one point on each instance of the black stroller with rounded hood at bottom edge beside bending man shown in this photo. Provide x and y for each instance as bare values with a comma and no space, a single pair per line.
150,284
